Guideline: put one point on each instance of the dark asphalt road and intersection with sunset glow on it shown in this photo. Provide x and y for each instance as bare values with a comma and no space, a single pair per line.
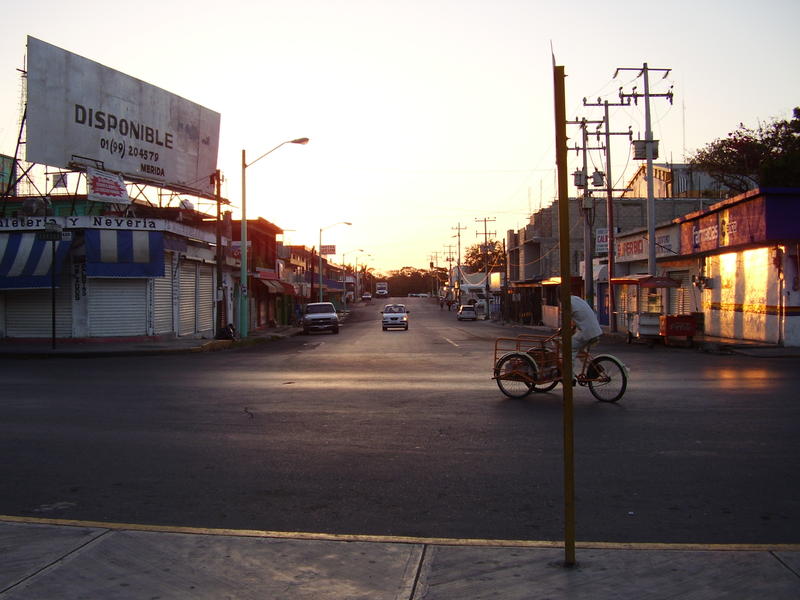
404,433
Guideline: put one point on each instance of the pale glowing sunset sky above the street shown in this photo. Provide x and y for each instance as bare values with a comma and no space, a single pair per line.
423,115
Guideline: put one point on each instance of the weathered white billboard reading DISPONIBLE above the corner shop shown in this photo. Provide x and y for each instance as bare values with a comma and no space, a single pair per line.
81,113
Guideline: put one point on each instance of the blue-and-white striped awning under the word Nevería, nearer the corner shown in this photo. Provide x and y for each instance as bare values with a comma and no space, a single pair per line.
123,253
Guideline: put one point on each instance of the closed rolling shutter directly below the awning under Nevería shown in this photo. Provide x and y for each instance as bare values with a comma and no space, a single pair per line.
117,307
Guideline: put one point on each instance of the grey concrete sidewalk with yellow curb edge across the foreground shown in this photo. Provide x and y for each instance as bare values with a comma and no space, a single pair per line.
72,560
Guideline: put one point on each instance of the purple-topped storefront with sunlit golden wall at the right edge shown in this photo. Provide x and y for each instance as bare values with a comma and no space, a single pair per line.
747,251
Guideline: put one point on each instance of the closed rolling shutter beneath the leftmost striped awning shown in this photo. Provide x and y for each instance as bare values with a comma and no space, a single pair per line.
29,313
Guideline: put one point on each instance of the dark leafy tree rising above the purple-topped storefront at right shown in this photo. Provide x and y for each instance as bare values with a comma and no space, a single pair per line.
748,158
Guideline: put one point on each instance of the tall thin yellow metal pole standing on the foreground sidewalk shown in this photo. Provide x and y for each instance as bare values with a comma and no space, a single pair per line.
566,314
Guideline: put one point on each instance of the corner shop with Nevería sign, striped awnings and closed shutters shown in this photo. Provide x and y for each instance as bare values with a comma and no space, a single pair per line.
113,276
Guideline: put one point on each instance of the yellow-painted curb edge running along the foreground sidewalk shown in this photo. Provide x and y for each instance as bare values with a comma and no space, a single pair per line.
395,539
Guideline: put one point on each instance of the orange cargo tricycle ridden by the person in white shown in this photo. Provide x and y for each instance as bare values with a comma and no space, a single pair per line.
532,363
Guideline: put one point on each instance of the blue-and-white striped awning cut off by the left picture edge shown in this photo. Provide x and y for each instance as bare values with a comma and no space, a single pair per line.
25,262
